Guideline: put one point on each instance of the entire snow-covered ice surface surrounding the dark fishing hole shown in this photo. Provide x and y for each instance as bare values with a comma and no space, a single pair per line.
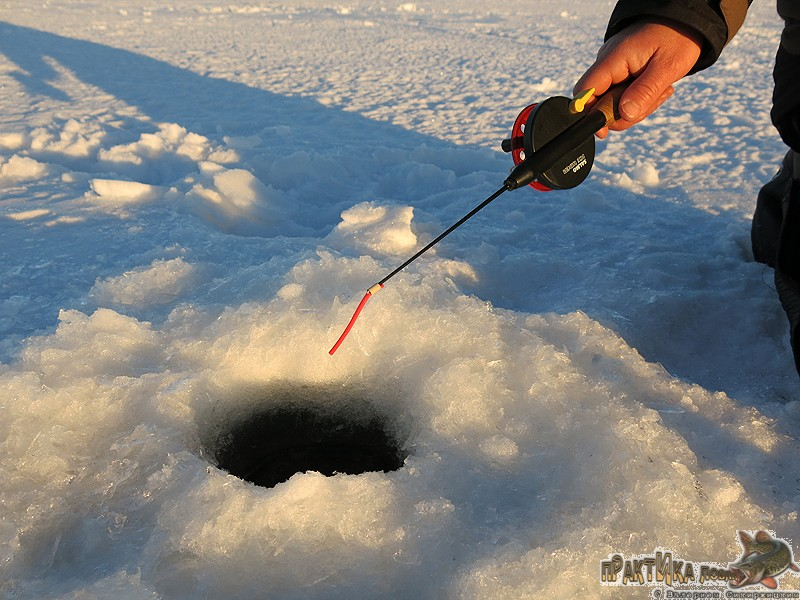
193,198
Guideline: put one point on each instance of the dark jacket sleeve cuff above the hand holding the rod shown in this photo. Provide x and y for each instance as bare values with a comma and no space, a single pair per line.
717,21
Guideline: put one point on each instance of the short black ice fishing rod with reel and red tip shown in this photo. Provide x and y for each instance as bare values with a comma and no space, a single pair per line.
552,146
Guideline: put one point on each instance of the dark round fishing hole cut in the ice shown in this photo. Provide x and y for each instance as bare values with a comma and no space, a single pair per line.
302,429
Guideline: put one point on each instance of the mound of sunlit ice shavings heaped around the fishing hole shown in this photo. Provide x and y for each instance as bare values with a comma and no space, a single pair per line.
521,428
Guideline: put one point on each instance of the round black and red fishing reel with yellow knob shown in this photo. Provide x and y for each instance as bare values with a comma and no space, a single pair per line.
538,124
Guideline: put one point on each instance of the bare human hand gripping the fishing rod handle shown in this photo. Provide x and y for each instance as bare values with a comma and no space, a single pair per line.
655,54
